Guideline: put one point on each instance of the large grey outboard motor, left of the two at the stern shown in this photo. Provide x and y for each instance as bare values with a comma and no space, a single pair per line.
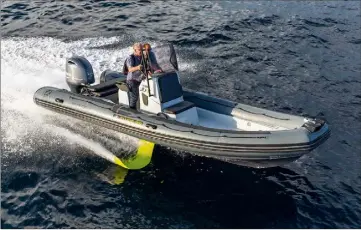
79,72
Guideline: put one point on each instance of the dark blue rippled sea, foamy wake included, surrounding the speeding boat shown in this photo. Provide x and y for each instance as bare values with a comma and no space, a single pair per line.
297,57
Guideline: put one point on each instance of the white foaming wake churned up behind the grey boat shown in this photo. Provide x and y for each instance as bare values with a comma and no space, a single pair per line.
30,63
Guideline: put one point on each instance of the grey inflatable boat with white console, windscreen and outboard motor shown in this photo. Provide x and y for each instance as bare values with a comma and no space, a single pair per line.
169,115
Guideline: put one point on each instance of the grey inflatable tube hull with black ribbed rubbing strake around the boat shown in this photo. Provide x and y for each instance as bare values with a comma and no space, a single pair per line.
249,148
